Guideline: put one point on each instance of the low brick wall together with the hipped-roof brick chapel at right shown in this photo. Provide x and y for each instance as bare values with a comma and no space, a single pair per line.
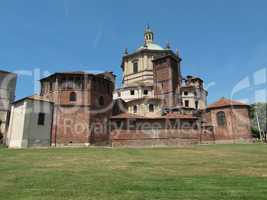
226,121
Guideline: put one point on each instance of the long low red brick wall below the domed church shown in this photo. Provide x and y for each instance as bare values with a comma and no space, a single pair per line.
168,135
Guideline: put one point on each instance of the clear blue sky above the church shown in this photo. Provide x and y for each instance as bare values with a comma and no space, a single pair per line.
222,41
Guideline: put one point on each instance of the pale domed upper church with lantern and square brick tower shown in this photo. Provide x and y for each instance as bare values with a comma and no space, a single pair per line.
152,80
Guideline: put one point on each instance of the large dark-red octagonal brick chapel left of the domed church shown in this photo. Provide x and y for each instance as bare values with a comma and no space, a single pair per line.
83,103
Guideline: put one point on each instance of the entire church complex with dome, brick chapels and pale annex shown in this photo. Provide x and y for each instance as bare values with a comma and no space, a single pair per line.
155,106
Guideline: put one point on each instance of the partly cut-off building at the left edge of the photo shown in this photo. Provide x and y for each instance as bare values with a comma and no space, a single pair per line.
7,96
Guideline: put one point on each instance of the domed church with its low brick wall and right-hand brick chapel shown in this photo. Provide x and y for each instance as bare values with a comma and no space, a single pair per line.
161,107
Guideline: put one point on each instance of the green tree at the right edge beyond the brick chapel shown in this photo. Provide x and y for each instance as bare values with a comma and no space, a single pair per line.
259,120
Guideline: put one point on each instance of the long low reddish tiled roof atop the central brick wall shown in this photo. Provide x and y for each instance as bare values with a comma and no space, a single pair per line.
168,116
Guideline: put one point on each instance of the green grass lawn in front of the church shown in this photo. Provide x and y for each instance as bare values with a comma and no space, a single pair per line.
199,172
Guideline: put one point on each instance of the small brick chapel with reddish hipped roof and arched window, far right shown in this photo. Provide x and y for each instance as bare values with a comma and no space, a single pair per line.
230,121
